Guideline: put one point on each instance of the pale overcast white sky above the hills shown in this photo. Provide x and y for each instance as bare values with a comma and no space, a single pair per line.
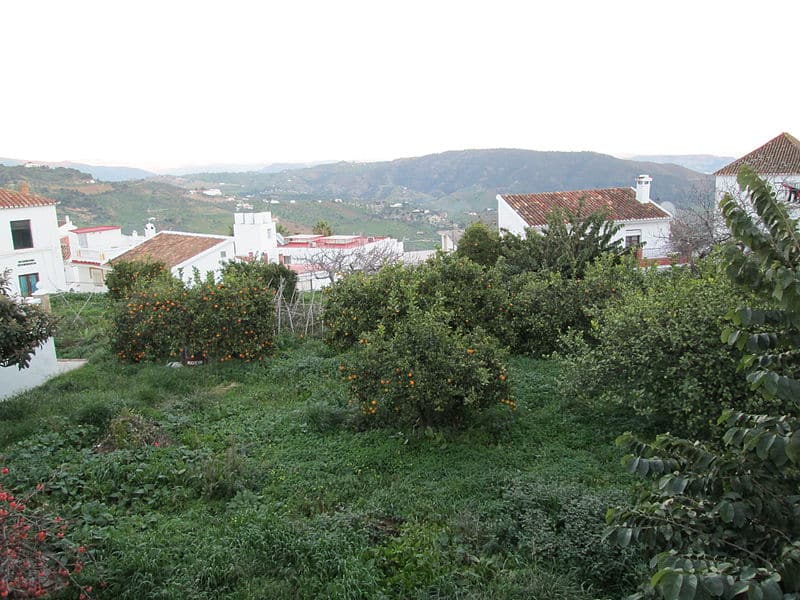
163,84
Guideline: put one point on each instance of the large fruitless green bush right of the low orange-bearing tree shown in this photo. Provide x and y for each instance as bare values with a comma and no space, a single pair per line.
657,353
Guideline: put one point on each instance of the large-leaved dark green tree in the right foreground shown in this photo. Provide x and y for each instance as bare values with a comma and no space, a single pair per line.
725,514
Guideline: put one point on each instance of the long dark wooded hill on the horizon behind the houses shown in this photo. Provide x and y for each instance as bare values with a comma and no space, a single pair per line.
465,180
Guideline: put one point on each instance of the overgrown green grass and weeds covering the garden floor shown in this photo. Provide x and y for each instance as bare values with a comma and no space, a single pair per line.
257,481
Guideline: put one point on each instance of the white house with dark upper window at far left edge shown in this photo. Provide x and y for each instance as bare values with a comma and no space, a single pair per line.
29,242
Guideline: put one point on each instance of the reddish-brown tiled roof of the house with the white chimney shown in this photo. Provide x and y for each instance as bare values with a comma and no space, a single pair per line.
621,204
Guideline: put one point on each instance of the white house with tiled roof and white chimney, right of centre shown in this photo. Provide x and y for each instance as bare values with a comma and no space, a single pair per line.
642,220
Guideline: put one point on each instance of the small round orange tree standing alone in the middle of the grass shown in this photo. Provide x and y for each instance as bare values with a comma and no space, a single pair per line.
427,374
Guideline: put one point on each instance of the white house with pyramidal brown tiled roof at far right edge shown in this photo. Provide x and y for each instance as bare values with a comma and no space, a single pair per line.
777,161
